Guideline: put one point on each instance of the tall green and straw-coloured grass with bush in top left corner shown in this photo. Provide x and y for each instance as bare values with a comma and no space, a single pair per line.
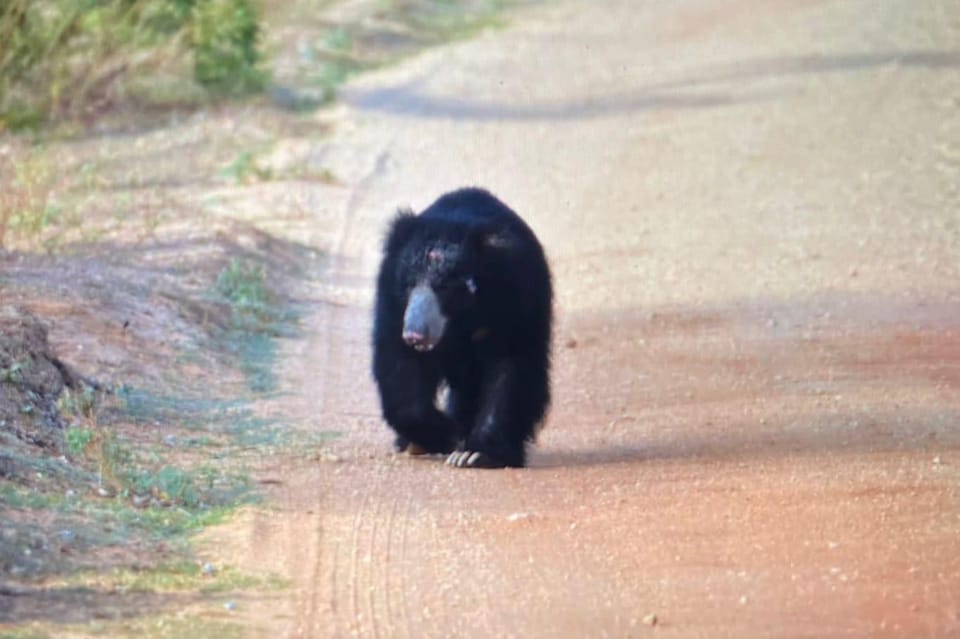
64,58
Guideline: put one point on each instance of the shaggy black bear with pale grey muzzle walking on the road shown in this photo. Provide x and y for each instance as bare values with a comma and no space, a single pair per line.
464,299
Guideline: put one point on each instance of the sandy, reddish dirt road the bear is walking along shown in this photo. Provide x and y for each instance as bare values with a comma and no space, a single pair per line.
752,212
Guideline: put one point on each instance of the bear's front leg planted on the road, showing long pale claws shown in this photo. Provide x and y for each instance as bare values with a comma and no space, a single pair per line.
513,401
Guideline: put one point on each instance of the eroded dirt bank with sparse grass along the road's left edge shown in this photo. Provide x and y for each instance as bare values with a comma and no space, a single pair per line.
121,376
